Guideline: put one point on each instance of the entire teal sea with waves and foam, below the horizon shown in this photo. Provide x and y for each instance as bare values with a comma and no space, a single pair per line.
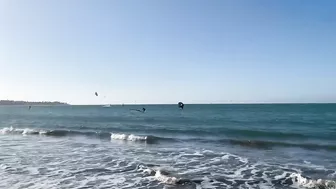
201,146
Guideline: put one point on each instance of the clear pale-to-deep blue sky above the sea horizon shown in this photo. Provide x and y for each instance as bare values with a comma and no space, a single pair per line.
165,51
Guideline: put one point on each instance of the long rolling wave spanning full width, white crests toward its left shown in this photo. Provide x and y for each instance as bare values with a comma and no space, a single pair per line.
261,144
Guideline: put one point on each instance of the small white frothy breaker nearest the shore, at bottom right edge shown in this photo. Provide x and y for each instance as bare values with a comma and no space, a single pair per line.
286,179
